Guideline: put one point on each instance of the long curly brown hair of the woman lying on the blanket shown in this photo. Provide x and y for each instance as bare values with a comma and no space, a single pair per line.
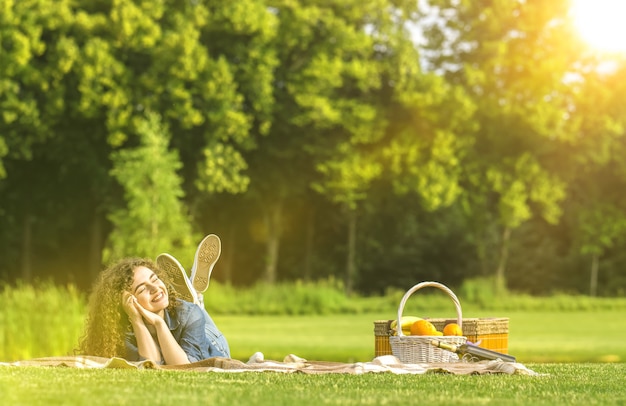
107,323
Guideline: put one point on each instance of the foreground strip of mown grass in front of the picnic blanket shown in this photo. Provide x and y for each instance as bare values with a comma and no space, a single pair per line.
560,384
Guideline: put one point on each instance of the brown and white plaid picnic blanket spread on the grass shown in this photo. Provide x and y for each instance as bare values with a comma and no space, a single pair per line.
290,364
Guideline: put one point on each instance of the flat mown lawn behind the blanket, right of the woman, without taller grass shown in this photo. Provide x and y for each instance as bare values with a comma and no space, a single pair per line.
533,336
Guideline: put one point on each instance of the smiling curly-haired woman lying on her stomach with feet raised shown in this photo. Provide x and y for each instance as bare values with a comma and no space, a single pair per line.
140,310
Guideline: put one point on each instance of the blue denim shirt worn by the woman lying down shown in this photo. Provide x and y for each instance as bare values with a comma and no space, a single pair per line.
193,329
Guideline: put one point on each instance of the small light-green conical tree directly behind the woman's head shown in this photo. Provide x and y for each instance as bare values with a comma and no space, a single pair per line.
154,220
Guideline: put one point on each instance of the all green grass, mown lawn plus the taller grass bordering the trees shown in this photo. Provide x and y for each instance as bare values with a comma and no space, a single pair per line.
575,343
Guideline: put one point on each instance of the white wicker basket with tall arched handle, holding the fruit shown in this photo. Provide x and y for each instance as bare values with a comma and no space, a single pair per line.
418,349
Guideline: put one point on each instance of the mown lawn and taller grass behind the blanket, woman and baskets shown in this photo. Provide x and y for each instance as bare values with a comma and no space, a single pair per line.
47,320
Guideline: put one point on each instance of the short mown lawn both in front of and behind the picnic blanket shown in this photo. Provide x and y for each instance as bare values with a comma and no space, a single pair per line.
581,356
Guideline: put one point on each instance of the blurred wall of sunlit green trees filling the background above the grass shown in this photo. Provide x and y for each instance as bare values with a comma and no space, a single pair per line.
377,143
